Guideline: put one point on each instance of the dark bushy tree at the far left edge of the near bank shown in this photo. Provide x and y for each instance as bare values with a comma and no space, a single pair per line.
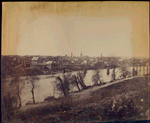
11,98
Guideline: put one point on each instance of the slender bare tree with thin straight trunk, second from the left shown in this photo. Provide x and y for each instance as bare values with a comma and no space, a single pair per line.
33,81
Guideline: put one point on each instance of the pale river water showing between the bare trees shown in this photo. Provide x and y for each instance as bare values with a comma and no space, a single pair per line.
45,85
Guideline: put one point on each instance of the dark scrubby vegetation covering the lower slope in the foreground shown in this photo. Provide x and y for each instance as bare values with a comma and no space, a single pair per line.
120,107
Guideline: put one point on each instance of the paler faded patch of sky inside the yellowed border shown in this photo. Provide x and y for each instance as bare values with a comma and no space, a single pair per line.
56,35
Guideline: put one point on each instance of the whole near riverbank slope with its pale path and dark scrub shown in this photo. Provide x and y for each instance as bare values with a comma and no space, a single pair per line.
120,100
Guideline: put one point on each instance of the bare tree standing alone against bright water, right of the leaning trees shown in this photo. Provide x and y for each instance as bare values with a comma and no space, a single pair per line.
96,77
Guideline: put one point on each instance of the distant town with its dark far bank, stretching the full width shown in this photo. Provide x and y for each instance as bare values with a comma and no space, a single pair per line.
52,64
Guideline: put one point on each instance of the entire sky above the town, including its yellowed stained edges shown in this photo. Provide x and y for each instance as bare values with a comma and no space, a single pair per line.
107,28
